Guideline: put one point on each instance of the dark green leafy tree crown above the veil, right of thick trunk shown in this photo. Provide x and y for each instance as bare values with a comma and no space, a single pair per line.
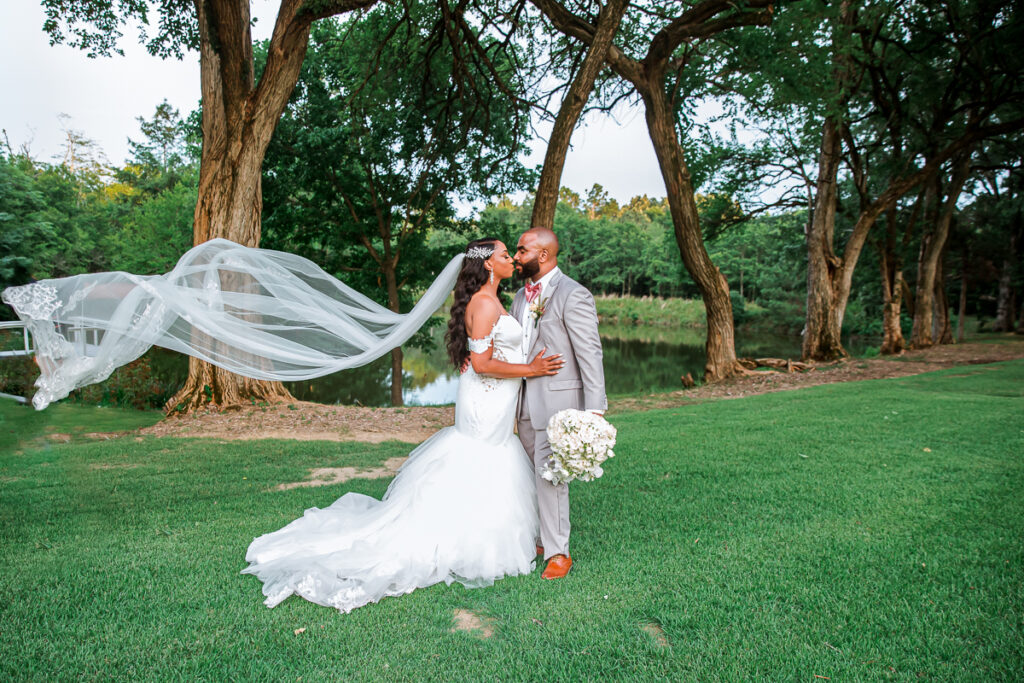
390,125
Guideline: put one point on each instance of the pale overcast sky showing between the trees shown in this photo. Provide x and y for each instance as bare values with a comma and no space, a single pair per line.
104,97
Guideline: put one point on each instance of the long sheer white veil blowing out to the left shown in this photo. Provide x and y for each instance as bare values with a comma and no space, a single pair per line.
264,314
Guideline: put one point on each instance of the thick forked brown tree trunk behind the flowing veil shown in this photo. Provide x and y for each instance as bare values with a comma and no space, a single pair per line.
239,119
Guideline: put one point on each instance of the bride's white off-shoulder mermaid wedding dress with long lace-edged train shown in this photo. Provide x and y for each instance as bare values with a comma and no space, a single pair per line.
463,508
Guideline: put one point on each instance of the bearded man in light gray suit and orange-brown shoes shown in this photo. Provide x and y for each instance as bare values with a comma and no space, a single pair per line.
557,314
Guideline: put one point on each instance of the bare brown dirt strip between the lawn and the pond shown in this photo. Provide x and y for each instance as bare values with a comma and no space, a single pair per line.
307,421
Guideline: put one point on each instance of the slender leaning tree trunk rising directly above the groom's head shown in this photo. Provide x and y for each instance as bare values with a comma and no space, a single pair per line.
554,159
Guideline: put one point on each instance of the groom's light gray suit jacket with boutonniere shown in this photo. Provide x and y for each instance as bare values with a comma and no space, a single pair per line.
569,326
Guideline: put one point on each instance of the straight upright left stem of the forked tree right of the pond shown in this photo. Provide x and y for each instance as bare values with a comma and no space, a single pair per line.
823,329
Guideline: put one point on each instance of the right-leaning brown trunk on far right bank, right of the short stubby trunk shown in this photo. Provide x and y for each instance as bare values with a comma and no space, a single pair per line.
933,245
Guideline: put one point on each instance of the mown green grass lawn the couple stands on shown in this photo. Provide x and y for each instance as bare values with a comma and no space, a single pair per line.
865,531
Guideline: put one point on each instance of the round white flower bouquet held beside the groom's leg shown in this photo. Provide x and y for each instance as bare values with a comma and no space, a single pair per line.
580,443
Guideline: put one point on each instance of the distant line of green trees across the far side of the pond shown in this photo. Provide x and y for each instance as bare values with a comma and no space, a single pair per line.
69,218
